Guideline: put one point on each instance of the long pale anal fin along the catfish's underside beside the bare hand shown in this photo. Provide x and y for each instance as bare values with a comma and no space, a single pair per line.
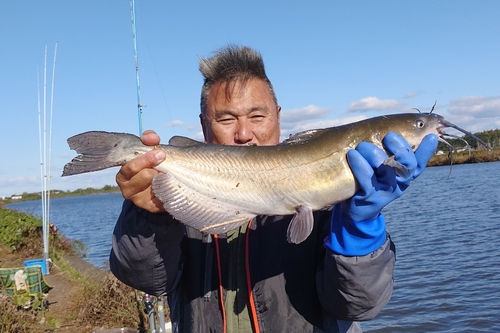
203,213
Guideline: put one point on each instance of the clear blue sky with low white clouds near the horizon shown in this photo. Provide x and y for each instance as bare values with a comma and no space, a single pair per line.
331,62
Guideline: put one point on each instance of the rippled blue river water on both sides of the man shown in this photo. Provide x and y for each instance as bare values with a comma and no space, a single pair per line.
446,230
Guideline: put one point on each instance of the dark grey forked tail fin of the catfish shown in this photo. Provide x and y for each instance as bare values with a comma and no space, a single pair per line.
100,150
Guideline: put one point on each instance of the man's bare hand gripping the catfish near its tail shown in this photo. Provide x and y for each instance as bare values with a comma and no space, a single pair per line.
135,177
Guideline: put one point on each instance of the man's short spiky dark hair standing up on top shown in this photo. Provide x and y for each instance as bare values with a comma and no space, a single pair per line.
230,64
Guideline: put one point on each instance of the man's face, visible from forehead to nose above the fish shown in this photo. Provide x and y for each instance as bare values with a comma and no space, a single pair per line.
248,116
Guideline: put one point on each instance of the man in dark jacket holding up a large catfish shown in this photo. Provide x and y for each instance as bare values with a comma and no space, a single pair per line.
251,279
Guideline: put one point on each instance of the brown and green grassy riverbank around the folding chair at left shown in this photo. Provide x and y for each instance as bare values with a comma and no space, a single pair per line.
83,298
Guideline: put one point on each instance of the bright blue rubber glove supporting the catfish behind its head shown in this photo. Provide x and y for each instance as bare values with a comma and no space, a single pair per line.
357,226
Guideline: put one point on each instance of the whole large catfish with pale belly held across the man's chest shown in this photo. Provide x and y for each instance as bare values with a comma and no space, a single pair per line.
217,188
